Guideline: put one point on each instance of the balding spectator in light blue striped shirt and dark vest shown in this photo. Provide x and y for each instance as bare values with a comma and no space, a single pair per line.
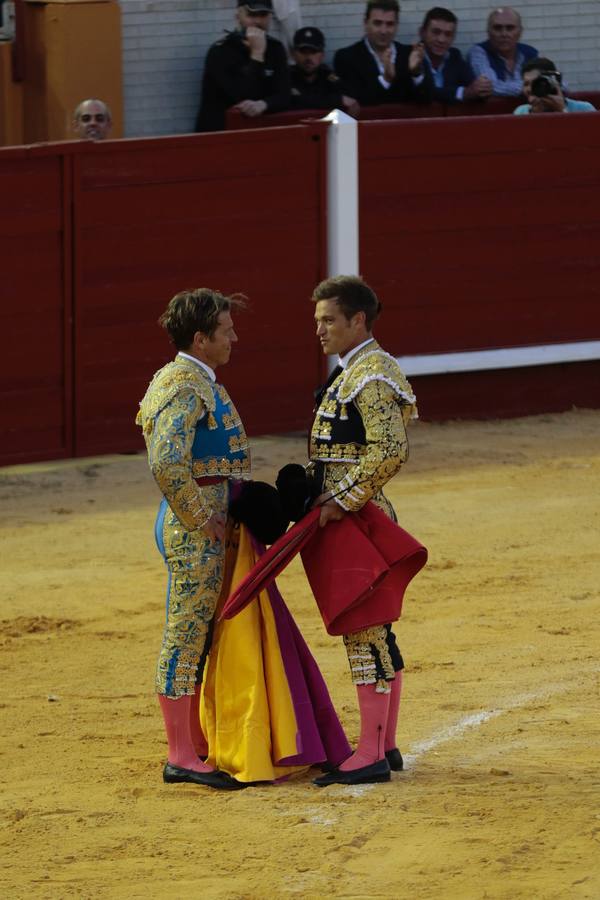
502,57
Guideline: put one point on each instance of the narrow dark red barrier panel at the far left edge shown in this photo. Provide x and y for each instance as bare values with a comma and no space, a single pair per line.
34,309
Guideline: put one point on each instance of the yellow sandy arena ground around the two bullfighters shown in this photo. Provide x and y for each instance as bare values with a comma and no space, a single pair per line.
500,722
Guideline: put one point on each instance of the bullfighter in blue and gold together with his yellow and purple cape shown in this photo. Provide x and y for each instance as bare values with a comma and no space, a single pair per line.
265,707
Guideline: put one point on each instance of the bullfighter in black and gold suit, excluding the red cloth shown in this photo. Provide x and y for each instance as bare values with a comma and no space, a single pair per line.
358,443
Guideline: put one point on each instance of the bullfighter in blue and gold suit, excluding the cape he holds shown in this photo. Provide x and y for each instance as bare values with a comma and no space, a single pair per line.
196,443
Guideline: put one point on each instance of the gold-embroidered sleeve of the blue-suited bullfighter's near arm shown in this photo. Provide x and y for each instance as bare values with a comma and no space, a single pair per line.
170,458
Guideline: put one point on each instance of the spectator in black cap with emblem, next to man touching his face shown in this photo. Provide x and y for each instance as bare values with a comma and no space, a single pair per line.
315,85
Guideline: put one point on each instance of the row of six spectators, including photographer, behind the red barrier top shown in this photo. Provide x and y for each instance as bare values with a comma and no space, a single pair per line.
246,75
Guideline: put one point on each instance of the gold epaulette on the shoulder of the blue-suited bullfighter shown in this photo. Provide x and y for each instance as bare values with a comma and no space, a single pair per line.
169,381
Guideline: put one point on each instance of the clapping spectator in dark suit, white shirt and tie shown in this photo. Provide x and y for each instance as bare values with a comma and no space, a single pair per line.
377,69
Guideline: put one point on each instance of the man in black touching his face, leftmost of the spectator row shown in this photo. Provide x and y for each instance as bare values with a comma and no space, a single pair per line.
246,69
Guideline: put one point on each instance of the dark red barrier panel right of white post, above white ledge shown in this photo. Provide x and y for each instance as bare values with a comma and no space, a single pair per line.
482,233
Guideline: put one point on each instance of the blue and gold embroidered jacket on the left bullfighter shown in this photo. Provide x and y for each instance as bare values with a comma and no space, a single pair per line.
192,430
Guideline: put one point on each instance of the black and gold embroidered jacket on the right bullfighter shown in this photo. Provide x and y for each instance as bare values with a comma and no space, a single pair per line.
359,430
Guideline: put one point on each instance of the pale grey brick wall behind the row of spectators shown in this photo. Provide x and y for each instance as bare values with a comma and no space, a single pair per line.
165,42
